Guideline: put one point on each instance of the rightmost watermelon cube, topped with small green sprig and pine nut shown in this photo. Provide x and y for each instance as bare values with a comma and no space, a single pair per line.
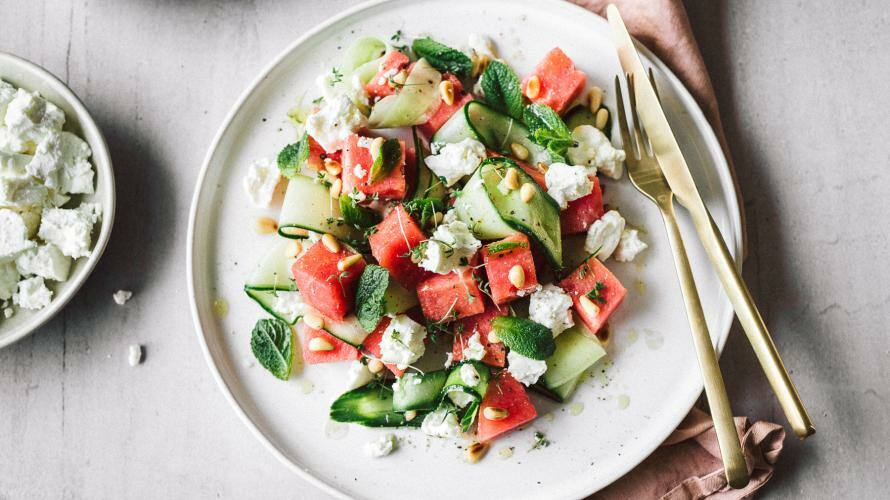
583,280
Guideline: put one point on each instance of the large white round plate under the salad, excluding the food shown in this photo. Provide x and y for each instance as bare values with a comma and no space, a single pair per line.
654,371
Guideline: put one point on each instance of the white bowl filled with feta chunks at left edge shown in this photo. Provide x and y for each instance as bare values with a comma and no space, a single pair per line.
57,196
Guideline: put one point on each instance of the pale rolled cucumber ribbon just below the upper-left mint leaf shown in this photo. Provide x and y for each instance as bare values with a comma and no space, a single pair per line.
308,206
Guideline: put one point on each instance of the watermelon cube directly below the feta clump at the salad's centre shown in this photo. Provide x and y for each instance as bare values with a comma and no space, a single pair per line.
445,297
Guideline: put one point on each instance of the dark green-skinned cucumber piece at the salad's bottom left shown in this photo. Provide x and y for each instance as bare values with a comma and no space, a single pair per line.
371,406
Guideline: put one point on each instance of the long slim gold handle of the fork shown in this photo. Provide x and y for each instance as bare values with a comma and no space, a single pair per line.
727,437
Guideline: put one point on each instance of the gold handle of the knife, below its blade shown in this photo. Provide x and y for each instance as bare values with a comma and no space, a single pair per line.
752,323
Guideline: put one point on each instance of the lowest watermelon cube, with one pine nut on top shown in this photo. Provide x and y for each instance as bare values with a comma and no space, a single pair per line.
506,393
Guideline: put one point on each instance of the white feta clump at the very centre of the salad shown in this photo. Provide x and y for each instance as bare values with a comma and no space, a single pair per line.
450,247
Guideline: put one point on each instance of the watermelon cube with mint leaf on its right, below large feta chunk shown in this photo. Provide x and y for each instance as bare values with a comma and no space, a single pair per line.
392,187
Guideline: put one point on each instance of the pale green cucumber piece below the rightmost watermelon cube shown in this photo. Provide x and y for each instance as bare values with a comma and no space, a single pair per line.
575,353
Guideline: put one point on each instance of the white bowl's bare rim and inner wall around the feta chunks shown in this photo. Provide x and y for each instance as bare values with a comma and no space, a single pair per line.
27,75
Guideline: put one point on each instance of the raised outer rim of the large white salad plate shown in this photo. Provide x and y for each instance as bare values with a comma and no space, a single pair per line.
721,167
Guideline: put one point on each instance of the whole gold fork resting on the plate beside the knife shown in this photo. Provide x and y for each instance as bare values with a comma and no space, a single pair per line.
646,175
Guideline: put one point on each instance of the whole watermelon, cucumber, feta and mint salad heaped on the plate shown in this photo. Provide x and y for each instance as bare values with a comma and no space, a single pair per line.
442,235
